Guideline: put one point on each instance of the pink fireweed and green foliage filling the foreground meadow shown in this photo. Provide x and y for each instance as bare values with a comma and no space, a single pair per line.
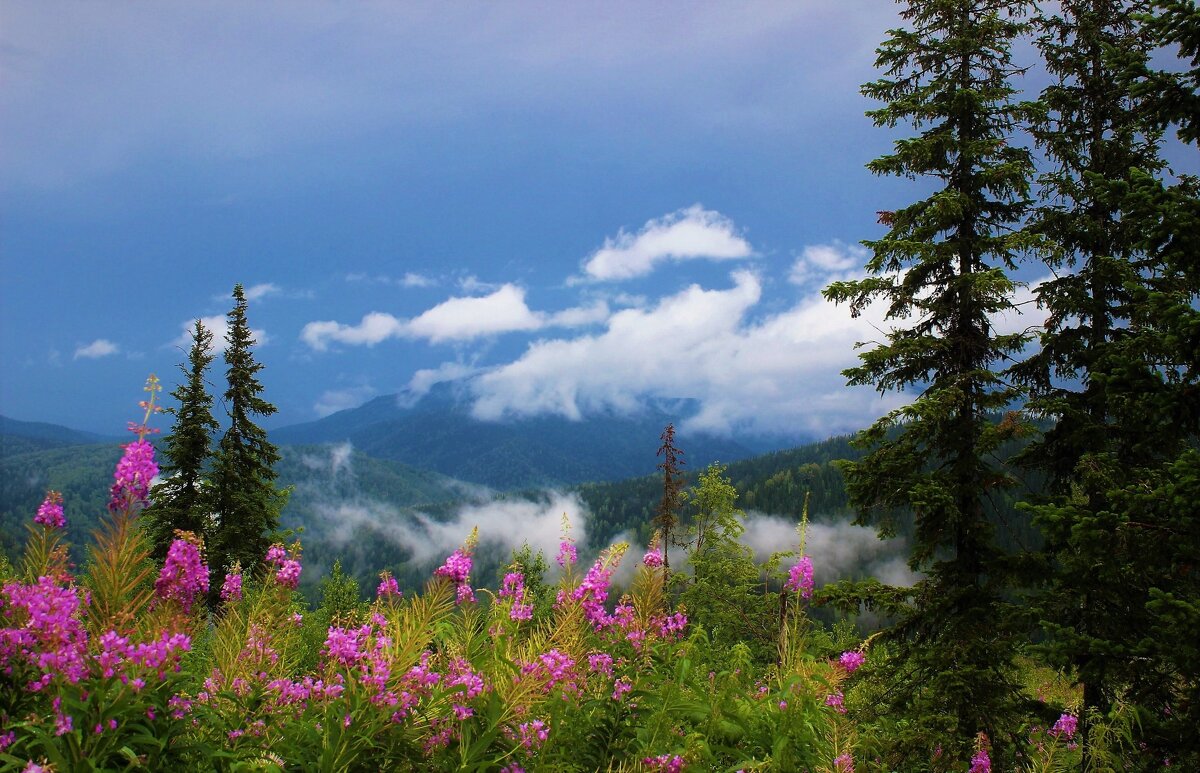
433,681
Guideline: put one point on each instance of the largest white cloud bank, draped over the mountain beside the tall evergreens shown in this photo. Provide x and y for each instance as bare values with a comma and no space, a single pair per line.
777,375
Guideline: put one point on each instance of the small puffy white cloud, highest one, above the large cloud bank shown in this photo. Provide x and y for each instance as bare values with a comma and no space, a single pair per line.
683,236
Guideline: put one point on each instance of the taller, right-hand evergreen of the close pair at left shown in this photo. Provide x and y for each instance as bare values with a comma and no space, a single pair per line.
247,502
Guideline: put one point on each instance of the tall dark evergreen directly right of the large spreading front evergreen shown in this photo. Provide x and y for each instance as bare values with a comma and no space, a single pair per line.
1091,376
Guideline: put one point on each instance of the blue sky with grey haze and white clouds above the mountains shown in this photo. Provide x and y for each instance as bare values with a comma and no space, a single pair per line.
566,208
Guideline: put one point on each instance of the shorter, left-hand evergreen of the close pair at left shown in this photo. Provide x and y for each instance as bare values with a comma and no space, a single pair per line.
183,501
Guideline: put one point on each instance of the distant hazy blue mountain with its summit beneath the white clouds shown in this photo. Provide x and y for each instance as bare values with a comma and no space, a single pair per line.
439,433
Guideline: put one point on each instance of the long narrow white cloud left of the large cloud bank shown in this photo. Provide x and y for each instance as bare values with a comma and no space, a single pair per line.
464,319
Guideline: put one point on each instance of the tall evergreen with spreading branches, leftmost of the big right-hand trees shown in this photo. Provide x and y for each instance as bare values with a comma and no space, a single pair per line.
943,272
